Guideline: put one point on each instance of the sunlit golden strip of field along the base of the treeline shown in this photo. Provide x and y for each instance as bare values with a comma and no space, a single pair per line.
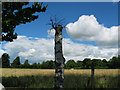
27,72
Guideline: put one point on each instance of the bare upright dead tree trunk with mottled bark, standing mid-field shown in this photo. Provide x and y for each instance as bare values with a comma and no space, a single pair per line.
59,59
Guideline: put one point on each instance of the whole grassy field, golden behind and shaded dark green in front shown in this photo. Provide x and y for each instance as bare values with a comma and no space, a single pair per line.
74,78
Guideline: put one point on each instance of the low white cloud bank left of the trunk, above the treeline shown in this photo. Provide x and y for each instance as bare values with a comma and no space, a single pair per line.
35,49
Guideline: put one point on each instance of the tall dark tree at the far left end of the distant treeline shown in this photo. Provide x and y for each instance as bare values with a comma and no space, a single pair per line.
5,60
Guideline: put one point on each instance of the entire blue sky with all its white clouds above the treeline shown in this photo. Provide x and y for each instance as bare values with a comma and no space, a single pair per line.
90,31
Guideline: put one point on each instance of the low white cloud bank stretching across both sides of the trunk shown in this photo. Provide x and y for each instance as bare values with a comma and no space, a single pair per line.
40,49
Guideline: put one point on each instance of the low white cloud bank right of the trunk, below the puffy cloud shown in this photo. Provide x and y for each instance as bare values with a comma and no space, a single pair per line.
80,51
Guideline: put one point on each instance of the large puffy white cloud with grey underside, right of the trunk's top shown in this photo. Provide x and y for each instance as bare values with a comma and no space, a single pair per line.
87,28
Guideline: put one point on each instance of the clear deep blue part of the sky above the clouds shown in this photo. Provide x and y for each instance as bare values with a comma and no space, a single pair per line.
106,13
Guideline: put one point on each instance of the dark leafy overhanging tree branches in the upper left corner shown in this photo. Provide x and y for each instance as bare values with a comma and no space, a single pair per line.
16,13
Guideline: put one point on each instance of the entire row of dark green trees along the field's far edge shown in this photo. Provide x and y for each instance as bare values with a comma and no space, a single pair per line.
87,63
